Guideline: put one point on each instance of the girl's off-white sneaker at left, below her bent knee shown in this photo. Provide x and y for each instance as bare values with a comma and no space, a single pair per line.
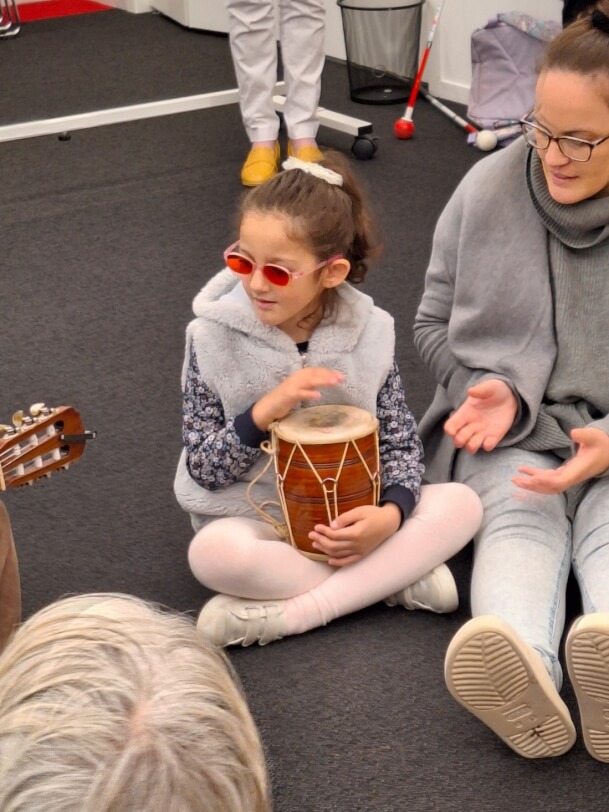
229,621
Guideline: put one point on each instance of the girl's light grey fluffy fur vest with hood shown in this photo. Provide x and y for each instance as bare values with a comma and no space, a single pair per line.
241,360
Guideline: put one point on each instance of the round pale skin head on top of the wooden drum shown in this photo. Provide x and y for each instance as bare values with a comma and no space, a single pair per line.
332,423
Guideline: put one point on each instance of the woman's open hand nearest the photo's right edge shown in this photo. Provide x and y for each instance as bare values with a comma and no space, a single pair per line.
590,460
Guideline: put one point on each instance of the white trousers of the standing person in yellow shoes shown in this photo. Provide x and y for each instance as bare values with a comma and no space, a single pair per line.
254,52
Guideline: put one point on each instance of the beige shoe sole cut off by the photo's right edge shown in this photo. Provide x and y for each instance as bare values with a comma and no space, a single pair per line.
587,653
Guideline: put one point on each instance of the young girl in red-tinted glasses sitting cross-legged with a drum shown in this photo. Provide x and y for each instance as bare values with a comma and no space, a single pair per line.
280,328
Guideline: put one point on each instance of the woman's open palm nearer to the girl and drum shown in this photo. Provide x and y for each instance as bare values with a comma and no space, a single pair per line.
484,417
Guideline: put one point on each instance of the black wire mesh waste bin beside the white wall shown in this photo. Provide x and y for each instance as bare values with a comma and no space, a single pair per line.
382,45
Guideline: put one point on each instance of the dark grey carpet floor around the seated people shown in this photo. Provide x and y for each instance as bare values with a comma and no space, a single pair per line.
106,238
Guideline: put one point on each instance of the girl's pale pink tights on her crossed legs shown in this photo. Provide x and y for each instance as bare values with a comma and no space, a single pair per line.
239,556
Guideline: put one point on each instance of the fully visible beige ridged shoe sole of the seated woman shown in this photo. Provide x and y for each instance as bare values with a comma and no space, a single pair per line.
501,680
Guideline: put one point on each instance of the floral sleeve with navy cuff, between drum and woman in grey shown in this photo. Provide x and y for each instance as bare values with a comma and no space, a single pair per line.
400,448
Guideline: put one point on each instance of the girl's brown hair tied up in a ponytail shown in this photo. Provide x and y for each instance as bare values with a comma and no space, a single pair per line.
325,218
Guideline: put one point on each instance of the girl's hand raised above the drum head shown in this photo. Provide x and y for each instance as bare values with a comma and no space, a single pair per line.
302,385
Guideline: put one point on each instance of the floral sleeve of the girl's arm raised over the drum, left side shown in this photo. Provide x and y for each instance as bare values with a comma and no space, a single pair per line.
216,455
